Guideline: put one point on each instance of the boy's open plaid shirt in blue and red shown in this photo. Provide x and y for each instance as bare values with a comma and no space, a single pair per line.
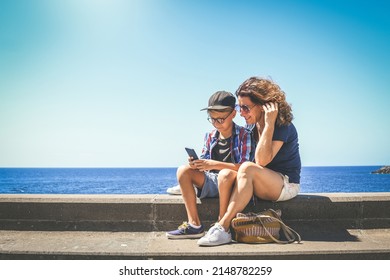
243,145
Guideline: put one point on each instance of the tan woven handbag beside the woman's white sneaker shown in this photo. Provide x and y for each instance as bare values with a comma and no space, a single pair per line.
263,227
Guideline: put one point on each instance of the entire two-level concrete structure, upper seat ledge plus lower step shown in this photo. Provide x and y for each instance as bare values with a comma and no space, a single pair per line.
332,226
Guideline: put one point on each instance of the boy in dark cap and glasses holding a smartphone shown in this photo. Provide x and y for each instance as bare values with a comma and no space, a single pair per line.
225,149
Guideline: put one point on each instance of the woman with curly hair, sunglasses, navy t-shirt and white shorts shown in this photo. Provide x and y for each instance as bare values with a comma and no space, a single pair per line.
275,174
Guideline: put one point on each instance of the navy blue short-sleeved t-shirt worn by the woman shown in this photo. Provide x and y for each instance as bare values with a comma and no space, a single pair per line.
287,161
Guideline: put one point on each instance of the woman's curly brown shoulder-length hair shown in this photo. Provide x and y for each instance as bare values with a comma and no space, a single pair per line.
261,91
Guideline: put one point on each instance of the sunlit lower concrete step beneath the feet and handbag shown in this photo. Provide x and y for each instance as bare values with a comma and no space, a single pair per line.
362,244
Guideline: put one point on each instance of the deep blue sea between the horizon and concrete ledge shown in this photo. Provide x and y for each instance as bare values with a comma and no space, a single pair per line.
327,179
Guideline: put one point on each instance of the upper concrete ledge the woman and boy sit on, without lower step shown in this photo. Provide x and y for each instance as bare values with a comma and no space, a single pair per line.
164,212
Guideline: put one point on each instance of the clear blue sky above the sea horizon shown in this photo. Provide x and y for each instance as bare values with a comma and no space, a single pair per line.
117,83
